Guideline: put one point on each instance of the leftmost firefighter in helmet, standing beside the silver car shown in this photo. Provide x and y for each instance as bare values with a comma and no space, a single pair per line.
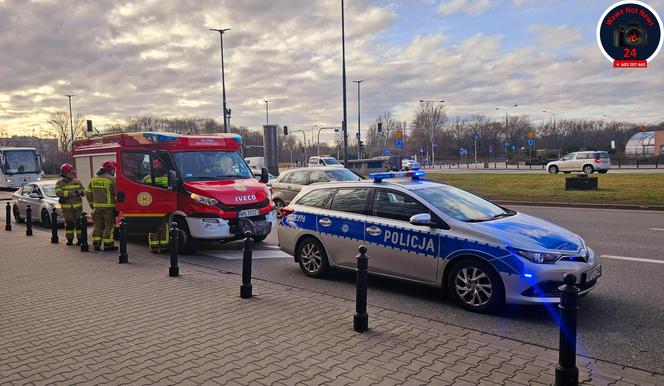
70,191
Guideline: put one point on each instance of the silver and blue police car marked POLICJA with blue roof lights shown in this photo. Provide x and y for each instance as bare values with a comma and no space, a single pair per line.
481,254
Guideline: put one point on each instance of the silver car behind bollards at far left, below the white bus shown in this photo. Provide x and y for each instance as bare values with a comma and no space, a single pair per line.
41,197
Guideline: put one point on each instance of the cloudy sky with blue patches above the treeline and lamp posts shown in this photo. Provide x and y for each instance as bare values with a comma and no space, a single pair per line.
157,57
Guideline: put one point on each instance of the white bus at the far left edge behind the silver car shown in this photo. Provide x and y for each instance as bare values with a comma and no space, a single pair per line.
19,166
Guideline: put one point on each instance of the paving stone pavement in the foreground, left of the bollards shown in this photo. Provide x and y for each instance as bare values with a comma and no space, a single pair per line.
74,318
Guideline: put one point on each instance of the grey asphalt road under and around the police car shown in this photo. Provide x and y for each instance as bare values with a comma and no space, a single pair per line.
621,321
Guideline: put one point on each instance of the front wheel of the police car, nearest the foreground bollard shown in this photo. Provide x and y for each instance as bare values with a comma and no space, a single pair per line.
476,286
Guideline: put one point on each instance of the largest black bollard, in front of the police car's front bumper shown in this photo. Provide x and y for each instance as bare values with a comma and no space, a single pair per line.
566,371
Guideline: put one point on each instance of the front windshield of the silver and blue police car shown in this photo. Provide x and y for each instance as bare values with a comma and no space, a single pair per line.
462,205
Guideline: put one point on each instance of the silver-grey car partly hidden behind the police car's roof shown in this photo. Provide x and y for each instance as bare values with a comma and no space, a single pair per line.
290,182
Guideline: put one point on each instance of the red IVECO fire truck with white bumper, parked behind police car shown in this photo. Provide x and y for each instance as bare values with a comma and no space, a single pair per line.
199,181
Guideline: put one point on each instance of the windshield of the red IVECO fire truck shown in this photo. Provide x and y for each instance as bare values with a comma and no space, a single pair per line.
211,165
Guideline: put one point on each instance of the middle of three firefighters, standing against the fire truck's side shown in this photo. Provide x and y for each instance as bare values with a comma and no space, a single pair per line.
101,196
